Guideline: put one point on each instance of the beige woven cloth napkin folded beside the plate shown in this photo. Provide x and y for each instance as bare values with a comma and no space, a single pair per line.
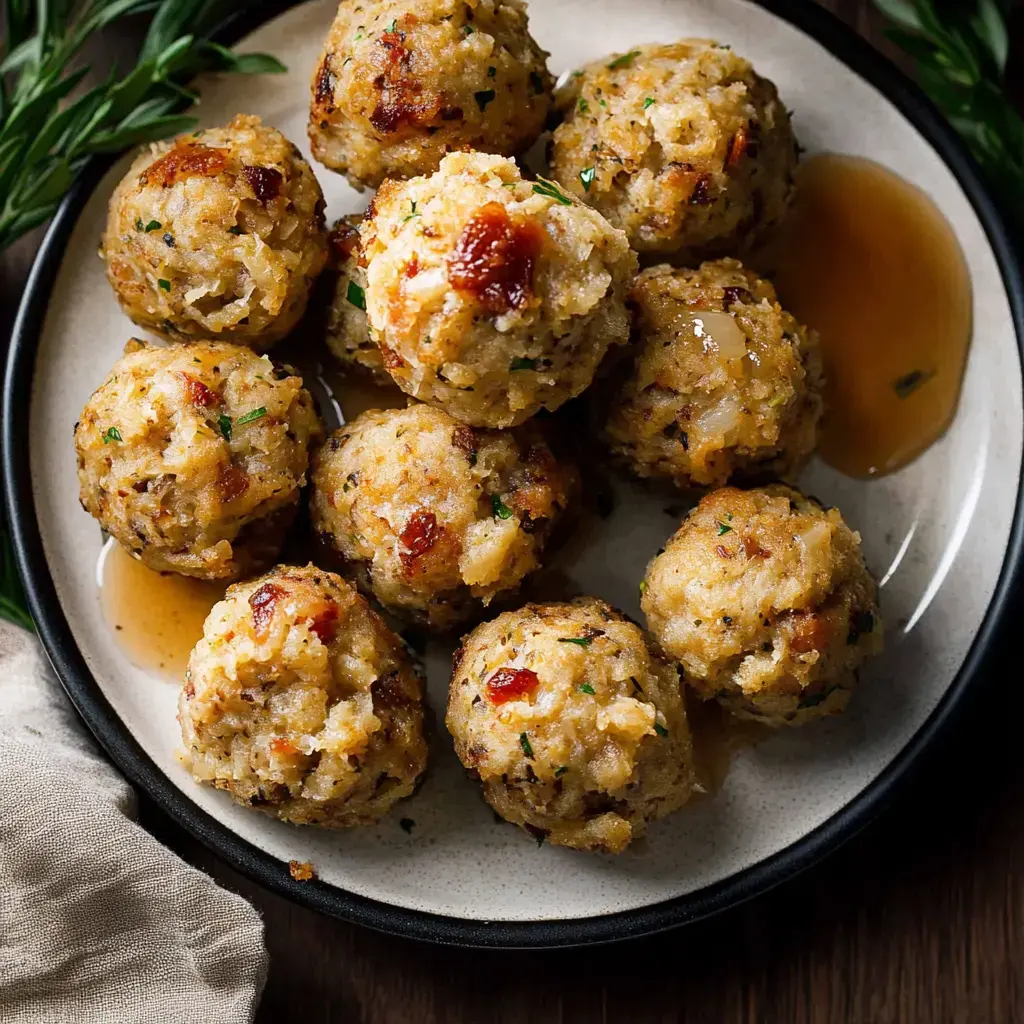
99,922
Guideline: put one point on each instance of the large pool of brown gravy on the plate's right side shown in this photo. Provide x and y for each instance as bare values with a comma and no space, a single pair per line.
871,263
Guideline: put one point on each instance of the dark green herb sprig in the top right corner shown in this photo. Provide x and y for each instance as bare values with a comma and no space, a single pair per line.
960,50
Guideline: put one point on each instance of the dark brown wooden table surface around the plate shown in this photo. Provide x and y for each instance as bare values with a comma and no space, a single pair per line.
919,919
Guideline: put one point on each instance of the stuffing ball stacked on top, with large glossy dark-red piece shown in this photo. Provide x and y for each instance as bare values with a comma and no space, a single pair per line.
491,296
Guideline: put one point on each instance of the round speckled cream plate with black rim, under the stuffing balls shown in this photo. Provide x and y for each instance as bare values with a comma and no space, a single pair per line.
944,536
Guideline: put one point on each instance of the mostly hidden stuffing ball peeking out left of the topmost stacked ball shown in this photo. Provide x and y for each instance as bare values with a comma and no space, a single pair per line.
349,334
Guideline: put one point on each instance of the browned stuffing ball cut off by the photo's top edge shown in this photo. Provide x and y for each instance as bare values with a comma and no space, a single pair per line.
403,82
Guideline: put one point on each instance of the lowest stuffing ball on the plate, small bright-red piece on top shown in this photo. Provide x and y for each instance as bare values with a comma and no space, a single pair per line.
575,728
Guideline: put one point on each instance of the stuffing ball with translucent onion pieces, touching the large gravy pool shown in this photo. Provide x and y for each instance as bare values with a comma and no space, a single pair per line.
727,383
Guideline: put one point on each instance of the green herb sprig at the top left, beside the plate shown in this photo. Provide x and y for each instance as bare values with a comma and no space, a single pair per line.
46,139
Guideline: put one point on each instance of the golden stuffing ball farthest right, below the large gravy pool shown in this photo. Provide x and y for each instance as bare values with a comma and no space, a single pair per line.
764,600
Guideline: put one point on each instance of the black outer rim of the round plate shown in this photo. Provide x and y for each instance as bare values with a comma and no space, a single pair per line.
274,874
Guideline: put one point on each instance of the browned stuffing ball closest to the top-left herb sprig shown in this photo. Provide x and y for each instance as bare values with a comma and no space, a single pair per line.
218,235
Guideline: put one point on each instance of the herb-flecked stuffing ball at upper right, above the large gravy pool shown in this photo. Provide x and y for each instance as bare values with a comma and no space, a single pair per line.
684,147
